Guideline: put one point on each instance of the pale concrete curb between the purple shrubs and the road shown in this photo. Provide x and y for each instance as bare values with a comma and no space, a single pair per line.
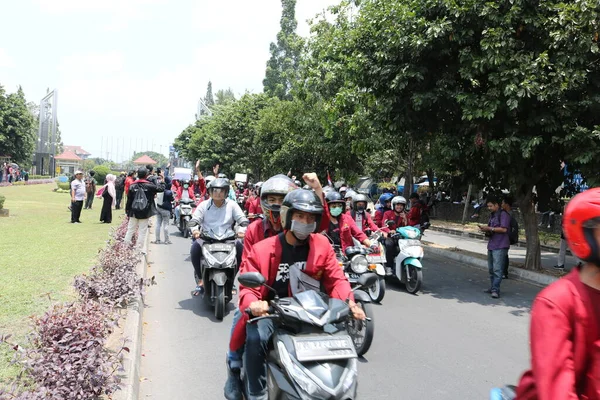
130,384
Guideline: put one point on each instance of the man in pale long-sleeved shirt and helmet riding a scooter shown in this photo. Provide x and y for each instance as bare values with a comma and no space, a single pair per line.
217,213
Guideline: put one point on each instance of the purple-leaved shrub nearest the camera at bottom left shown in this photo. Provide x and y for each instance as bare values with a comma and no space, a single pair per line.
68,359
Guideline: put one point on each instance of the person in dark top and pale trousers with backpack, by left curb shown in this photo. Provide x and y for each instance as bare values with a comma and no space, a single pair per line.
139,216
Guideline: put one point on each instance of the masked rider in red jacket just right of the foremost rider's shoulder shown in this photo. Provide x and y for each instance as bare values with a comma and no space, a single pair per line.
342,228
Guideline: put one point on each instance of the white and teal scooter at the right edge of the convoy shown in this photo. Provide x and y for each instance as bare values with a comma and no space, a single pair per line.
407,266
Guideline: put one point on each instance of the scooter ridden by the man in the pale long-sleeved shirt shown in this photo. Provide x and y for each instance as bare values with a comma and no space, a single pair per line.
219,266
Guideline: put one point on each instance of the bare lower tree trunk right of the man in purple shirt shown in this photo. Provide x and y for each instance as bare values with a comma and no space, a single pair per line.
533,259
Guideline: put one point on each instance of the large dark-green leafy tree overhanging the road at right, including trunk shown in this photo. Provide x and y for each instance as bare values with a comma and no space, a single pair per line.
515,87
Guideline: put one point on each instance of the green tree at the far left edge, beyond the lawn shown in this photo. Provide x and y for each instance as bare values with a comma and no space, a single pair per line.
17,127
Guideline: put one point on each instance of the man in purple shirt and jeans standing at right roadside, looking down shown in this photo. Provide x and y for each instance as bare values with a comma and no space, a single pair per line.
497,230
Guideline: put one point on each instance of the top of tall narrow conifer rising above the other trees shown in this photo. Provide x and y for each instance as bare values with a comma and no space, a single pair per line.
283,65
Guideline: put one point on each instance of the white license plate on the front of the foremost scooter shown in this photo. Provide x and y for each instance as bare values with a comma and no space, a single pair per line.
316,348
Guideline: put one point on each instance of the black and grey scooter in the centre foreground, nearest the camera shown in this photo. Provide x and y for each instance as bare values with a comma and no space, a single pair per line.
312,354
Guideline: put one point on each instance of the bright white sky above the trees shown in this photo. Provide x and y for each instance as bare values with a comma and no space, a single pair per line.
129,73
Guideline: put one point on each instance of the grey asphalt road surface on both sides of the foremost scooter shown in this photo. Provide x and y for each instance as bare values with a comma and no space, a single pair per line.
449,342
